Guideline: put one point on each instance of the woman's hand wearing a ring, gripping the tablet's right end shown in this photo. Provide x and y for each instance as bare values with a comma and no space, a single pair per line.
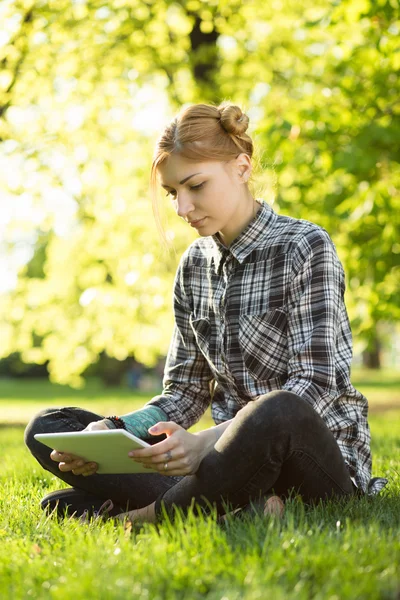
180,454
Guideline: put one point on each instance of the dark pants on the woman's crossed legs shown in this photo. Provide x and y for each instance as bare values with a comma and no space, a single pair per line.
276,443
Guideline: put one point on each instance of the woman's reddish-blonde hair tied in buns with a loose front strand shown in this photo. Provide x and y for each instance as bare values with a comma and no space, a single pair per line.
201,132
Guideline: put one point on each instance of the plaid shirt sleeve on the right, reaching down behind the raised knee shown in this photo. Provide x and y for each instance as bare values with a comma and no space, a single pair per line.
315,311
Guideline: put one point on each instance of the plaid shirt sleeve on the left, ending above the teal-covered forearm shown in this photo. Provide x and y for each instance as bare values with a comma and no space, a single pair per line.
187,376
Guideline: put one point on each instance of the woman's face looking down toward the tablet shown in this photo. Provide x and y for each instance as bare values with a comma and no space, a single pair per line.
209,195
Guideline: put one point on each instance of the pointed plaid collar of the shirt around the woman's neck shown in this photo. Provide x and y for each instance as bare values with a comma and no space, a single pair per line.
252,236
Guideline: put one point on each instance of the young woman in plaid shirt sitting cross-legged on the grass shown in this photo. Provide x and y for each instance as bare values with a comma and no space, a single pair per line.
261,333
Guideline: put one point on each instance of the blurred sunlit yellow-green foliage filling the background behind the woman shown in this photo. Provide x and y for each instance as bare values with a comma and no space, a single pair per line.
321,83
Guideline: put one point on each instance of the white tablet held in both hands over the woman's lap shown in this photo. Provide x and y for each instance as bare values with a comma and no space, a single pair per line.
109,449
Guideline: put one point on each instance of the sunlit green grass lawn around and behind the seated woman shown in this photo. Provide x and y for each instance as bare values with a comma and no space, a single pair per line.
335,551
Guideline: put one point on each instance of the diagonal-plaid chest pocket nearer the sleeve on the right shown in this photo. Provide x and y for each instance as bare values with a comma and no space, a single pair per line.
263,344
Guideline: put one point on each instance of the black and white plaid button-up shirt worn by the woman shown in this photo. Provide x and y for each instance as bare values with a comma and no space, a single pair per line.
265,314
